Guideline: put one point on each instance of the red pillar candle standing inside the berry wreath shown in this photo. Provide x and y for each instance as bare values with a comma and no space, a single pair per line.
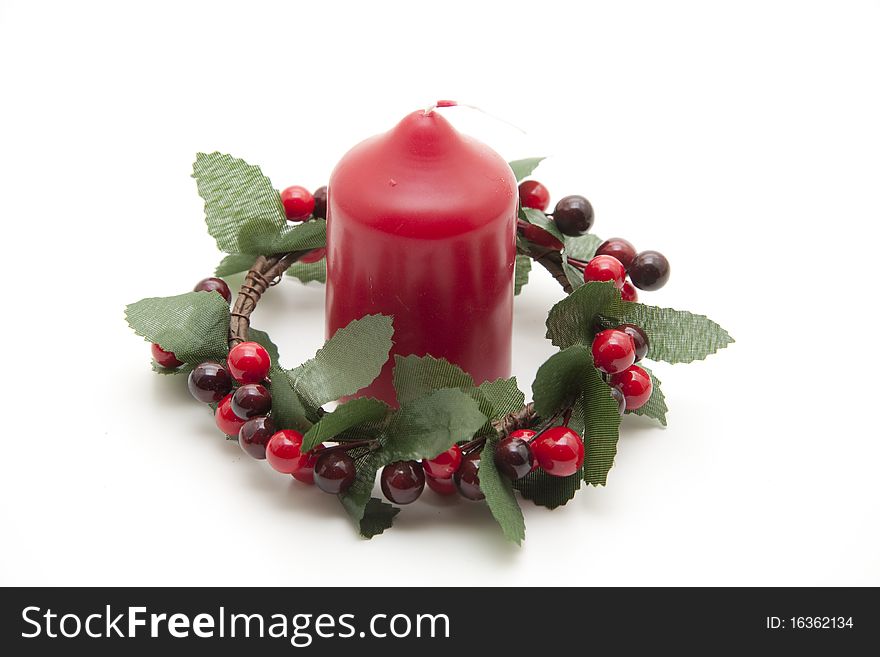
422,226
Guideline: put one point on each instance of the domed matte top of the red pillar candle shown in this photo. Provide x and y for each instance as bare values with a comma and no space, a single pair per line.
423,179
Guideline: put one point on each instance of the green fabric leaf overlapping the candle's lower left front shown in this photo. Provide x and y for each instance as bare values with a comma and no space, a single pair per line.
347,362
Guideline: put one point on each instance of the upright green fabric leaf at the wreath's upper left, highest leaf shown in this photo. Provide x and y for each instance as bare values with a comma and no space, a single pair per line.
241,206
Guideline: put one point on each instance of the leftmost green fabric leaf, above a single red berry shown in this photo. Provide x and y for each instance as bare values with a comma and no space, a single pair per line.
193,325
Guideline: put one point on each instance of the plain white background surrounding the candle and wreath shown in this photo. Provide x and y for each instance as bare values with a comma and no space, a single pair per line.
741,139
